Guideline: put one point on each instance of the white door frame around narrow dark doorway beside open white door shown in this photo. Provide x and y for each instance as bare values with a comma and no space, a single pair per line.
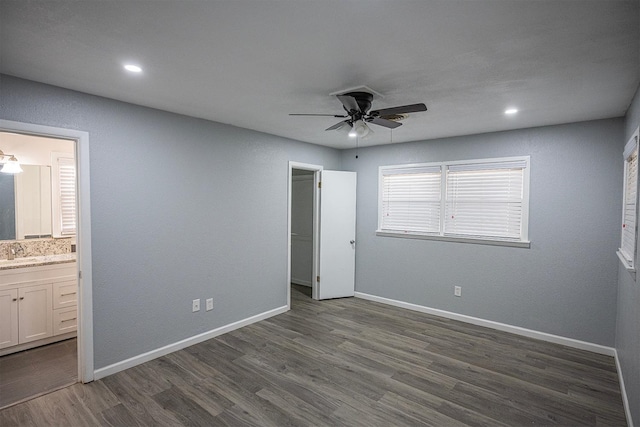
316,169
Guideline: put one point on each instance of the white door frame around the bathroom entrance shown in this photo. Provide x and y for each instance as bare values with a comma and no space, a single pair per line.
83,234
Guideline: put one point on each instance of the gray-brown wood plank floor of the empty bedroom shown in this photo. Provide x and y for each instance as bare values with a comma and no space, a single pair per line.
347,362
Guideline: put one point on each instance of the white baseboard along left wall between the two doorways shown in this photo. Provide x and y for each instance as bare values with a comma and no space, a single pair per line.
154,354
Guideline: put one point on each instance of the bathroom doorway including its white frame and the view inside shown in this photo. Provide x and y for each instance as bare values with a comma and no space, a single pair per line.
61,355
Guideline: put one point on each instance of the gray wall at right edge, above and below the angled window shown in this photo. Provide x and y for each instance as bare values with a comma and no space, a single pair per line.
628,324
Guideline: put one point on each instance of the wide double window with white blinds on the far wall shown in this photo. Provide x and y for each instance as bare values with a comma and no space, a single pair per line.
483,201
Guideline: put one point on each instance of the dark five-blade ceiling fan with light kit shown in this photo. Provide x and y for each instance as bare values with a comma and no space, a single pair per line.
357,106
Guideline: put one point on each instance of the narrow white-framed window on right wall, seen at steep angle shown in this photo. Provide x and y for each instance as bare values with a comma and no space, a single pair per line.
627,251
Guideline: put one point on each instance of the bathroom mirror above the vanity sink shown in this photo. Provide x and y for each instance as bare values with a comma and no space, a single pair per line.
25,204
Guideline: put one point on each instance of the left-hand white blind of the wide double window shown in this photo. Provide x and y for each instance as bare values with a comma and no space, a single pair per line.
411,199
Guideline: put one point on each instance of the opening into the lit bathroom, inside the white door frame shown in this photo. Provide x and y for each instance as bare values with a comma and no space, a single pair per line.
38,351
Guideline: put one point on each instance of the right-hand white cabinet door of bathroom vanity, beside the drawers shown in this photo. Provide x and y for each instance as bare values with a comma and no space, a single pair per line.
35,313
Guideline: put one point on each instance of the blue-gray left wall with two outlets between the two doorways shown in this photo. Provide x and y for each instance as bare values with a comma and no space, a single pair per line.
182,208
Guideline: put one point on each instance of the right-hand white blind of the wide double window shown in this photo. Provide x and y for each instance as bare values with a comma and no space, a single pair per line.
485,200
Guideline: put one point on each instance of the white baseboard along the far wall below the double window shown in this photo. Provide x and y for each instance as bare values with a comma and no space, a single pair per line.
569,342
